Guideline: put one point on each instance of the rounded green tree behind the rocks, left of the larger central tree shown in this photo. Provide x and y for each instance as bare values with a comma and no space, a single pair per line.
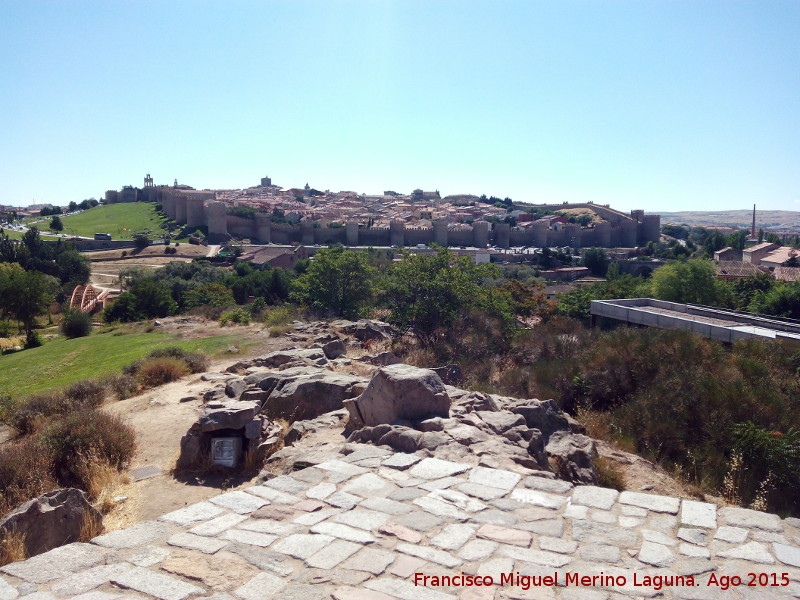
337,280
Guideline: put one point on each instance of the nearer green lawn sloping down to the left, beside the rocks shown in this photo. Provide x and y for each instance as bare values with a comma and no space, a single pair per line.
61,362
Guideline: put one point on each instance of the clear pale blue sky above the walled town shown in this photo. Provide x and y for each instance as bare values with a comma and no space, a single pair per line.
673,105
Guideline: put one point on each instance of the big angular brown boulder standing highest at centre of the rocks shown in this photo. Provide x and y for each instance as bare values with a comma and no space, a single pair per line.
401,392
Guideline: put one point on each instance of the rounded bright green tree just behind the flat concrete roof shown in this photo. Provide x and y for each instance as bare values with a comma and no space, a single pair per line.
693,281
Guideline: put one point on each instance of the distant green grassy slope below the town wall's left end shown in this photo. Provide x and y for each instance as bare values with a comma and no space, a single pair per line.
122,221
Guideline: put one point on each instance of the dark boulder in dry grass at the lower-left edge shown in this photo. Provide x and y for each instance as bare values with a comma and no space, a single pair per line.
51,520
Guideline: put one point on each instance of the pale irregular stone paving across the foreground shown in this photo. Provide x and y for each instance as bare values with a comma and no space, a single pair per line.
371,524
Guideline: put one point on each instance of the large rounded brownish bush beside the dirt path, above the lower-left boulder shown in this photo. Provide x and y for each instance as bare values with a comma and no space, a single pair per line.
87,436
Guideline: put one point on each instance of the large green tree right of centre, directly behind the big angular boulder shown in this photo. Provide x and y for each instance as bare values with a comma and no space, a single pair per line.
428,291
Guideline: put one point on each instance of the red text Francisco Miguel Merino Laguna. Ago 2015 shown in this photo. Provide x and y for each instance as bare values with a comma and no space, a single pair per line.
655,582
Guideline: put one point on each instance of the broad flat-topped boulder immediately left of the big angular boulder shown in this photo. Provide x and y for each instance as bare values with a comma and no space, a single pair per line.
307,396
